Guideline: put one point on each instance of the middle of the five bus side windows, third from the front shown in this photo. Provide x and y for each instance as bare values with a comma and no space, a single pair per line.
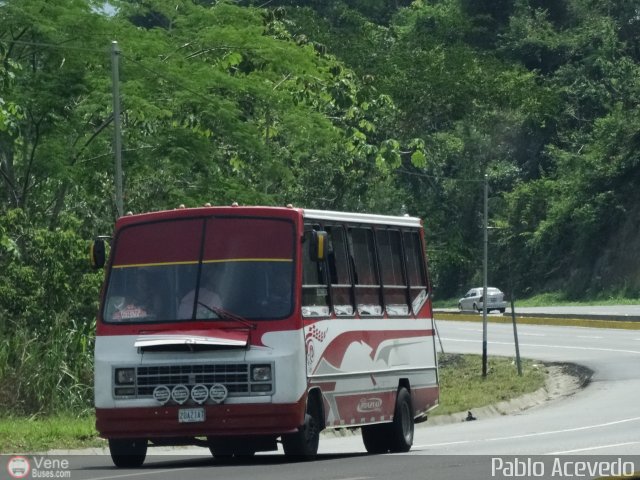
367,283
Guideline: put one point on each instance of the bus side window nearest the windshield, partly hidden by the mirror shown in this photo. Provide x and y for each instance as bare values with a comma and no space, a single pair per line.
315,293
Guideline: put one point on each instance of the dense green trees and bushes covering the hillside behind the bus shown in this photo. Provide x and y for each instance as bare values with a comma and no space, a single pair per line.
360,105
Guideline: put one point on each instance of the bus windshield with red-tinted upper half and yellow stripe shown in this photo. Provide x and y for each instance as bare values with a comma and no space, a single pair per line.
201,269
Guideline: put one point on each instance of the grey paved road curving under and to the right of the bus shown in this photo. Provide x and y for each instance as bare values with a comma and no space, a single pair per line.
603,419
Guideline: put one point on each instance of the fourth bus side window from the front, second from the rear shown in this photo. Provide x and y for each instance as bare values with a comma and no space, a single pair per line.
392,271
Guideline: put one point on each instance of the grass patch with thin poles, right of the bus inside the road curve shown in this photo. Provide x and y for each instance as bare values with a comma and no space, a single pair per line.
463,388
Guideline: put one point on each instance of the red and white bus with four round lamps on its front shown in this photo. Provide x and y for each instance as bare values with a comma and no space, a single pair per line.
236,328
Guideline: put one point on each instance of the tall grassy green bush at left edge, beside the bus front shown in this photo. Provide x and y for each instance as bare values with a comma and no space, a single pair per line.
48,300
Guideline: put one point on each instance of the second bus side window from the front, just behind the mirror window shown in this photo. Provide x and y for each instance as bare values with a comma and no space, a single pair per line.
339,272
